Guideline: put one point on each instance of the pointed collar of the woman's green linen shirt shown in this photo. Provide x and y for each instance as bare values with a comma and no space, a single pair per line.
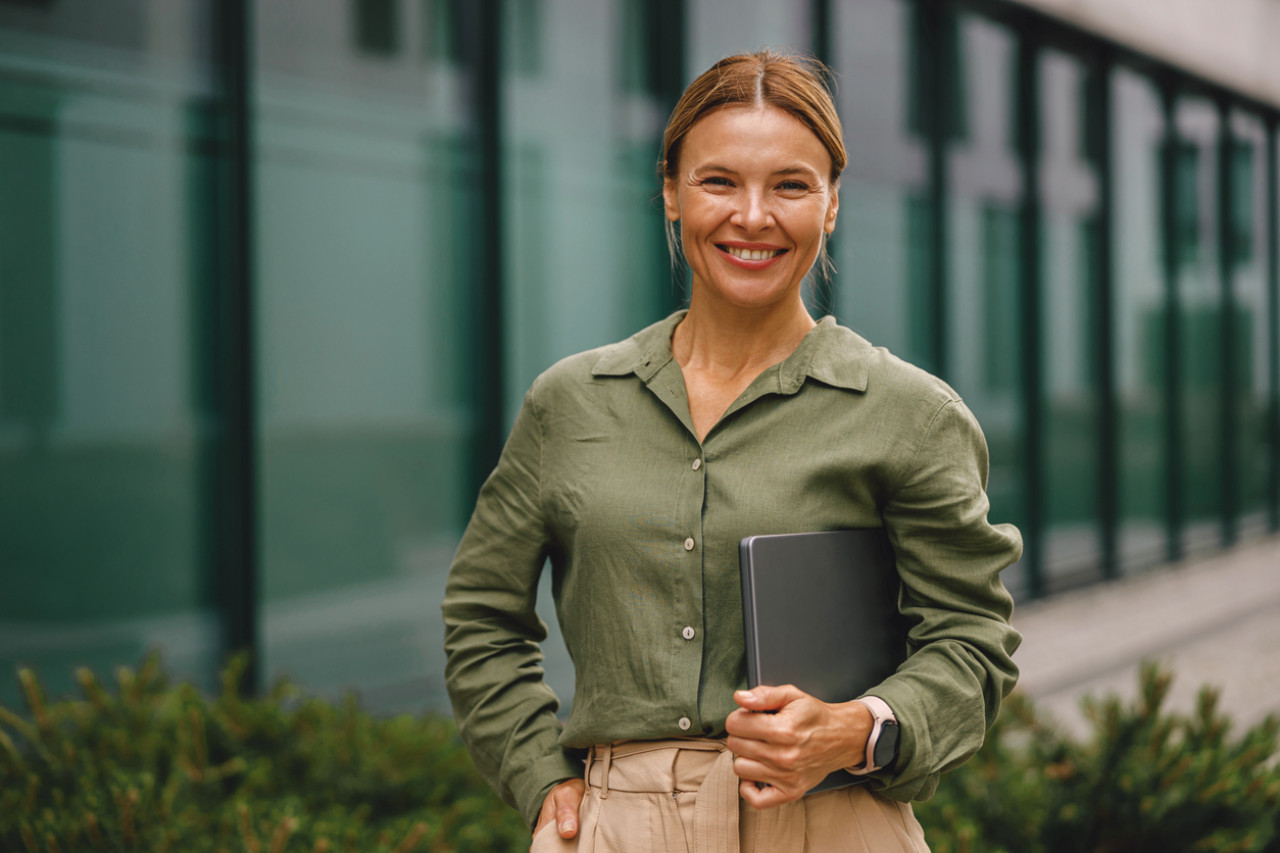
830,353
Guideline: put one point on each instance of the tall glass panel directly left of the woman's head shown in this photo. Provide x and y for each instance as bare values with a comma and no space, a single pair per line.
586,259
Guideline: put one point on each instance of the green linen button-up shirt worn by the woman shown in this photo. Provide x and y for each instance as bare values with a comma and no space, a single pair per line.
604,476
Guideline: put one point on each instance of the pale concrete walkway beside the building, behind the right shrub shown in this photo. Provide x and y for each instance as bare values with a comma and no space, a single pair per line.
1214,621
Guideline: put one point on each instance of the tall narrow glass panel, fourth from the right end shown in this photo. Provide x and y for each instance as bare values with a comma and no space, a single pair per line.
1071,200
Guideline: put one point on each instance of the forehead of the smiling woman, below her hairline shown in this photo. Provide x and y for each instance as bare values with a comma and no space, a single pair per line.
756,136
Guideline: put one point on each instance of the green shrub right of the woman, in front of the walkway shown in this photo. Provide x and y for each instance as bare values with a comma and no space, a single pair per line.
1146,781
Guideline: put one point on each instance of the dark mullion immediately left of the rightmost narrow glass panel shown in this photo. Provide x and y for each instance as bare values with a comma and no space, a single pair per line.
1228,349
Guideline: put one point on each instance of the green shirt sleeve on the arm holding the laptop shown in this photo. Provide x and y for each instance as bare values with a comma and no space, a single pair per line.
961,642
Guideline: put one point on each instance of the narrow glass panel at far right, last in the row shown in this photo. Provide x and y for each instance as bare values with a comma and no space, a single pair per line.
1251,395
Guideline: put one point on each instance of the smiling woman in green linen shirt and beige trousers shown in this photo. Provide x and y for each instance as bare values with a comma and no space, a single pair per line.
638,468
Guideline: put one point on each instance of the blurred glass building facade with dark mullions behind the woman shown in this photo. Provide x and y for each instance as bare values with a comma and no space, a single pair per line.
276,275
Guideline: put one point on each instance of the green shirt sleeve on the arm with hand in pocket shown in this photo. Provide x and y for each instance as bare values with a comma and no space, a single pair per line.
495,676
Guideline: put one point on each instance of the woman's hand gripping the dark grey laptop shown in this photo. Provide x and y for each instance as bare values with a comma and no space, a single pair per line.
794,749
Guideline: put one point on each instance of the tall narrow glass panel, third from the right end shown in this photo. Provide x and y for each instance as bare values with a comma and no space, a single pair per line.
1139,304
